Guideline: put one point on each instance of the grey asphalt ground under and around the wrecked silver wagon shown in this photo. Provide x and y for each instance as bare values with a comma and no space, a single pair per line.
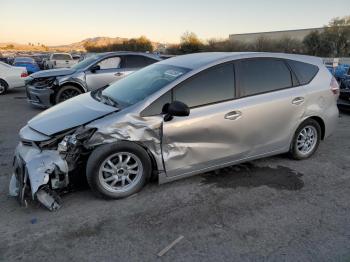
273,209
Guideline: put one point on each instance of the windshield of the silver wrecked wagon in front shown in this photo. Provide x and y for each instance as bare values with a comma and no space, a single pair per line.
143,83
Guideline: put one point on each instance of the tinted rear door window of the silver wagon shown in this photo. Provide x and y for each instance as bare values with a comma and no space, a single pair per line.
263,75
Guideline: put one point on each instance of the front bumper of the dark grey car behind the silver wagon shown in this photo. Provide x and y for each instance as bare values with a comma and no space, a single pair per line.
39,97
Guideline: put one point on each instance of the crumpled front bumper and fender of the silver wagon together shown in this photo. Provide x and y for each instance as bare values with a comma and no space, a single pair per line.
44,171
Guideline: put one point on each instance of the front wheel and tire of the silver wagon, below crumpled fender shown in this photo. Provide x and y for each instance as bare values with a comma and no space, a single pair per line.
101,175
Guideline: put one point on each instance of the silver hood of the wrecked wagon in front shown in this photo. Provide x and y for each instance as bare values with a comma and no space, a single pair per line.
74,112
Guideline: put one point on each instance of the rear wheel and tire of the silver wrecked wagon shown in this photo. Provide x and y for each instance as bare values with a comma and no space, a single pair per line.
301,147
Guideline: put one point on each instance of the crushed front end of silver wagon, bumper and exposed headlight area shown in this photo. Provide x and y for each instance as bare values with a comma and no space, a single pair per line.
42,164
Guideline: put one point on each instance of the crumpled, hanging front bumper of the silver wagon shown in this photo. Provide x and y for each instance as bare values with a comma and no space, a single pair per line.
37,173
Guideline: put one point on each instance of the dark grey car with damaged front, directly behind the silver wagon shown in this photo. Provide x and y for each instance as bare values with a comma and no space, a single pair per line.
50,87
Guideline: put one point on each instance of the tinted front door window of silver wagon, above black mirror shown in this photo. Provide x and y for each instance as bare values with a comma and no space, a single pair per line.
211,86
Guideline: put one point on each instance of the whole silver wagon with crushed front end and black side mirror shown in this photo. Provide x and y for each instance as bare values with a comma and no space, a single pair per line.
177,118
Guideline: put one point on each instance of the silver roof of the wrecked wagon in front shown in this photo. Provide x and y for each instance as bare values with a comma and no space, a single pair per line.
199,60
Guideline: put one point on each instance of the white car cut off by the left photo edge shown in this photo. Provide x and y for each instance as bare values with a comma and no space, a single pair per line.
11,77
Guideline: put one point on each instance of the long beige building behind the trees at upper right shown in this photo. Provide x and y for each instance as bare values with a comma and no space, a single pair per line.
297,34
